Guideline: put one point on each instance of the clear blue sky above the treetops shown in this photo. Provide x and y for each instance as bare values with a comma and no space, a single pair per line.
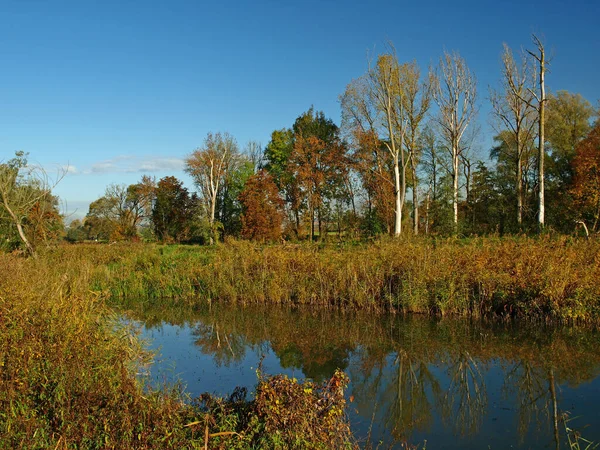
116,89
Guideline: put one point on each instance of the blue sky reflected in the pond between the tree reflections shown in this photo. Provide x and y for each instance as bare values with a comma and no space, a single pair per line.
497,424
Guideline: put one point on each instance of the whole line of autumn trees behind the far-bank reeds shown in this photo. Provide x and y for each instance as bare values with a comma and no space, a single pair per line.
402,160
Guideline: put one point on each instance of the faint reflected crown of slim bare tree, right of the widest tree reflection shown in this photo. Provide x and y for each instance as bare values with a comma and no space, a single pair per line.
465,400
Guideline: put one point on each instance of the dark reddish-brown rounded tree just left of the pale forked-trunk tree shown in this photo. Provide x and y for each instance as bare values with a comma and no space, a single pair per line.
174,211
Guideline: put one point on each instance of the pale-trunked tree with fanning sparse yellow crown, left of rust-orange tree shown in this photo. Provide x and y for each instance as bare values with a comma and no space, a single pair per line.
208,166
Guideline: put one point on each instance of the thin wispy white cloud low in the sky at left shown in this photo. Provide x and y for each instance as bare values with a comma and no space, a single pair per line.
135,164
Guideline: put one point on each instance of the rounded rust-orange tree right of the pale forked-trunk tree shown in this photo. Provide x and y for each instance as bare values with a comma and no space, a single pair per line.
262,214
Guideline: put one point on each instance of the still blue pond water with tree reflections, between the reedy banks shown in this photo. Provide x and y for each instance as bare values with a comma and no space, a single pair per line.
453,383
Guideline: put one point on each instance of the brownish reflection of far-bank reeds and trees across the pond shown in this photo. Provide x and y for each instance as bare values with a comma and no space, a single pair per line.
407,371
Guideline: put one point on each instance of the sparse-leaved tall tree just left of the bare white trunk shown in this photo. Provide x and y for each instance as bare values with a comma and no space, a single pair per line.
514,110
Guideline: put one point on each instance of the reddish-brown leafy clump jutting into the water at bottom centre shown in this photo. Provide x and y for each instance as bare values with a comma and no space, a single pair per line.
285,413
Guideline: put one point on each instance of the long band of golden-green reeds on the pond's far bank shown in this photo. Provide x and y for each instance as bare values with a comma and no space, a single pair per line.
548,279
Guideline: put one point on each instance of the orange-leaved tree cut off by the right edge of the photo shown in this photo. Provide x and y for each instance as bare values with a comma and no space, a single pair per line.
586,186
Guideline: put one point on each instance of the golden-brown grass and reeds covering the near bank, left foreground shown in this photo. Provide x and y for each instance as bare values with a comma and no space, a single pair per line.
68,378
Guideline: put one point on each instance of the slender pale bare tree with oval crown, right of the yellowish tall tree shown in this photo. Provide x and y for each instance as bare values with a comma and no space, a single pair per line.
455,93
